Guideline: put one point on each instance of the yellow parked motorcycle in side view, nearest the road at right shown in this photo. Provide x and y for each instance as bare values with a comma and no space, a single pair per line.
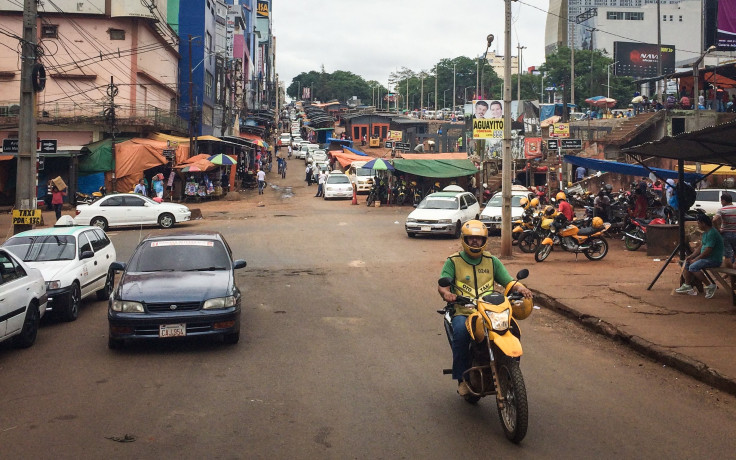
586,240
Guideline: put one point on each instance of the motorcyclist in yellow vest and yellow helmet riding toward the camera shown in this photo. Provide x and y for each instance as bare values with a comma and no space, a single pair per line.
474,272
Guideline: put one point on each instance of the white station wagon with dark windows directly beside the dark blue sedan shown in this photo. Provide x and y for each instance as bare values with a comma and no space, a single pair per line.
74,261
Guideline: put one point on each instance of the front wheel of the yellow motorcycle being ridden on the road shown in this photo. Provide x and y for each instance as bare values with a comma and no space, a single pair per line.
514,411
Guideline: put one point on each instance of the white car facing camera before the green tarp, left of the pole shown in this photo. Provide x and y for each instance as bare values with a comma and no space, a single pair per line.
443,213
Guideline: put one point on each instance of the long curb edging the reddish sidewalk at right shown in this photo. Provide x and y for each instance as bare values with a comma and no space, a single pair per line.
685,364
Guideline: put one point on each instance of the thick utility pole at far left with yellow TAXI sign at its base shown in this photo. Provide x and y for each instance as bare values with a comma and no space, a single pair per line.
27,176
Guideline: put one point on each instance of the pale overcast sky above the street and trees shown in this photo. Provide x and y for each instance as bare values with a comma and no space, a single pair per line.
376,37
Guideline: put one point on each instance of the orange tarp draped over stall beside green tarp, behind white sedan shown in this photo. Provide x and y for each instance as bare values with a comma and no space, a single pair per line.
134,156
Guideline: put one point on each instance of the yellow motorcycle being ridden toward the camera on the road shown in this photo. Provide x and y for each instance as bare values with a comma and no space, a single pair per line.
495,350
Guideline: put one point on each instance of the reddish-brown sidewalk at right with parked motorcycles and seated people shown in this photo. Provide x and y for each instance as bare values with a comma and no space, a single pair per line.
693,334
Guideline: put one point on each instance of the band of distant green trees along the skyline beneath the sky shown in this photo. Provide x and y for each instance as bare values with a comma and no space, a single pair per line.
411,86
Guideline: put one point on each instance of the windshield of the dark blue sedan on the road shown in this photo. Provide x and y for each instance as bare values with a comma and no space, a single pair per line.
180,255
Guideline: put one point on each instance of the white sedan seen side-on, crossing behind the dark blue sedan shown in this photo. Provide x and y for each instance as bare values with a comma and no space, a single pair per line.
130,209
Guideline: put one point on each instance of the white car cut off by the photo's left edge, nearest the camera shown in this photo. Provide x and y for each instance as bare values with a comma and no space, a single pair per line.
22,300
